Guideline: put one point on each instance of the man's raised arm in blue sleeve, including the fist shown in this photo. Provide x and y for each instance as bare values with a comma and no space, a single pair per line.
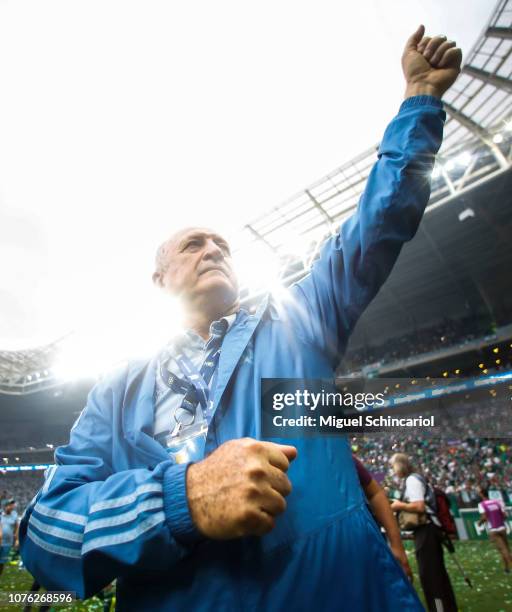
355,263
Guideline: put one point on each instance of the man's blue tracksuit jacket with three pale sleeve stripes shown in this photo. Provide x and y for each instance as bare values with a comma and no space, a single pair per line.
115,505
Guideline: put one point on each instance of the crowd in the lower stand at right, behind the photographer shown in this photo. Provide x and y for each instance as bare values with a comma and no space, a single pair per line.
473,449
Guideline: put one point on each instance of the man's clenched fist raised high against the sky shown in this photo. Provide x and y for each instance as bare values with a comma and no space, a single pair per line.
430,65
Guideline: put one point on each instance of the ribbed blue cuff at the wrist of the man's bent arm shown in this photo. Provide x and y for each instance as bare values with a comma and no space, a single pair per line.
177,512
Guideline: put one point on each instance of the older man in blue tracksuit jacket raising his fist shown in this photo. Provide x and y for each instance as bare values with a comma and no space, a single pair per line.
166,483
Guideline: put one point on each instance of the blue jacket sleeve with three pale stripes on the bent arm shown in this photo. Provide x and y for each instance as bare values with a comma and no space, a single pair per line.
88,525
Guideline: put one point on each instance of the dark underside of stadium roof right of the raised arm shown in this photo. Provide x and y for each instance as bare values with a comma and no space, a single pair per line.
456,271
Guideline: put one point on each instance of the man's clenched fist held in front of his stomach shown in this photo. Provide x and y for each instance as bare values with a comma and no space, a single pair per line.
239,489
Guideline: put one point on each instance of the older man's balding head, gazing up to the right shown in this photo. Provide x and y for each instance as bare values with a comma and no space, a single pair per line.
198,265
